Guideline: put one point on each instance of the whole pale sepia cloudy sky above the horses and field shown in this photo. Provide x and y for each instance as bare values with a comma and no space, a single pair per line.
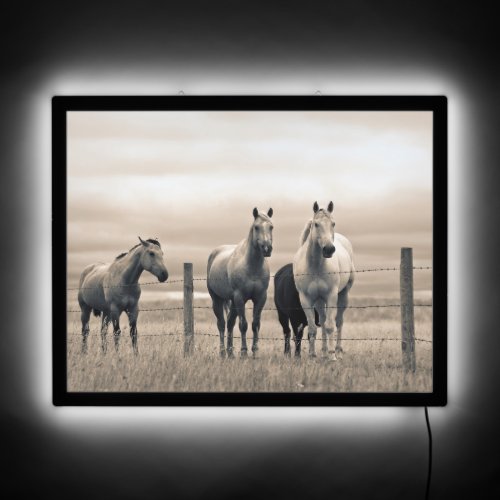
191,179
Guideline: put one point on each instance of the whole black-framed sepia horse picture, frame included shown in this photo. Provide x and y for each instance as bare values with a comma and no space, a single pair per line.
249,250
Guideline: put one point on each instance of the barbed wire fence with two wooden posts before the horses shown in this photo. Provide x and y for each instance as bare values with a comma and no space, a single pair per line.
406,305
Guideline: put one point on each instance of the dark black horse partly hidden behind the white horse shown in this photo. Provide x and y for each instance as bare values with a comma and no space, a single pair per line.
287,301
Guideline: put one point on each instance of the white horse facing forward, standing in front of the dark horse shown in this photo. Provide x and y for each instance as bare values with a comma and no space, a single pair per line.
323,270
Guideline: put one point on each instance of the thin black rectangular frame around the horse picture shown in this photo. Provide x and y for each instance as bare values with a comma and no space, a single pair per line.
61,105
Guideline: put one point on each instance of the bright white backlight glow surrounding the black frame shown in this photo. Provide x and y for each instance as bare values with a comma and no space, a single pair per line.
38,344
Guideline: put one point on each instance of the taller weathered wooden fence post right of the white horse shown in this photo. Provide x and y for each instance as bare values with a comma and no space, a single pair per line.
407,317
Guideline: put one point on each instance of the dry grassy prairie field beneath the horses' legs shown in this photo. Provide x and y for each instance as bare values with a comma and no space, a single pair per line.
372,360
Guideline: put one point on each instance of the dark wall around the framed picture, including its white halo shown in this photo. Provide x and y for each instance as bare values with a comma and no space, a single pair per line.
227,47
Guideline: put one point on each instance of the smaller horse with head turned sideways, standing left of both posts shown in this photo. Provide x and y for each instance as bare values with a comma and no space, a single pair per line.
110,289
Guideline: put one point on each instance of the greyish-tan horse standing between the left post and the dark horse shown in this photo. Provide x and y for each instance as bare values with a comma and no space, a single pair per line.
238,273
